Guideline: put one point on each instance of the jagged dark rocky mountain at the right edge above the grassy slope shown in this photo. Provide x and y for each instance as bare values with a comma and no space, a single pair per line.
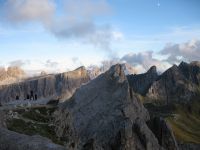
177,83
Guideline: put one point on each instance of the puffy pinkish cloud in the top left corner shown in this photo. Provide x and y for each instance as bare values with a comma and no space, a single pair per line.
19,11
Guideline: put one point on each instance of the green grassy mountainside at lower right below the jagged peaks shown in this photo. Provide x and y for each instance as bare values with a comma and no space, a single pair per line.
184,119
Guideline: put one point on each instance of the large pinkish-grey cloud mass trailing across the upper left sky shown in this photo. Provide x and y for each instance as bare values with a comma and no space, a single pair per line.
74,19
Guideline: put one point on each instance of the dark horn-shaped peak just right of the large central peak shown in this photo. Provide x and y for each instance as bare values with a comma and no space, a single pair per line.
141,83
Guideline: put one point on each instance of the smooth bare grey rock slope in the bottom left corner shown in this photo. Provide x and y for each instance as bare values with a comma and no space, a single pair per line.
10,140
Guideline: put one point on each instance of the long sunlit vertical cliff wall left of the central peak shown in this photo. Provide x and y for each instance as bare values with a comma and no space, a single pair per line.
50,86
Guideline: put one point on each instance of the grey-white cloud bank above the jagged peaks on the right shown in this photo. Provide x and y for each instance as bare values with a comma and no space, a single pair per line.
174,53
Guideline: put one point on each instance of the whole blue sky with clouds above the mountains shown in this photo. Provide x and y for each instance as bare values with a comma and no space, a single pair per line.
60,35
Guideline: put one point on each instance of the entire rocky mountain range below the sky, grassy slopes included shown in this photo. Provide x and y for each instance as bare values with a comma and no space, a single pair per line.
112,110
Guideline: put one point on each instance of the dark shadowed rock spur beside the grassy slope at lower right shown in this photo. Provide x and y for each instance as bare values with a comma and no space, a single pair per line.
163,133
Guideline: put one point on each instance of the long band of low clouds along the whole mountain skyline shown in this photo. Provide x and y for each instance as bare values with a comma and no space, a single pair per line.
142,61
